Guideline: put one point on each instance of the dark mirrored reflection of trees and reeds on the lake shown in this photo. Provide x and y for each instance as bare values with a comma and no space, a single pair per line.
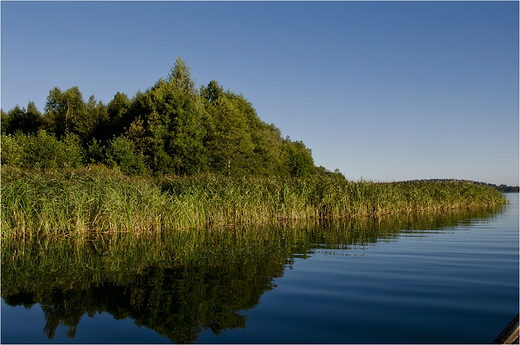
181,283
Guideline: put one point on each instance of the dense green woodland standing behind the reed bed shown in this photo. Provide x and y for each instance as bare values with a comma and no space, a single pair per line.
171,128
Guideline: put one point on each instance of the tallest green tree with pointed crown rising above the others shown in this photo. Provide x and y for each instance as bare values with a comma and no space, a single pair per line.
167,124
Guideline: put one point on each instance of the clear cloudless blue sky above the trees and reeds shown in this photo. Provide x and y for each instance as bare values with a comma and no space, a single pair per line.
380,90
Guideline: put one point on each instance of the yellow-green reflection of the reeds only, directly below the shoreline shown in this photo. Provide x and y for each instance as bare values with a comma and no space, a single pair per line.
80,263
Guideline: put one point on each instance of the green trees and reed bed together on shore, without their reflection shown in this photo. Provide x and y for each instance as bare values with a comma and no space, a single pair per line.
174,157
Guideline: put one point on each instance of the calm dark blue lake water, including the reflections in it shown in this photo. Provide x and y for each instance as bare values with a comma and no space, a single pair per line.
443,278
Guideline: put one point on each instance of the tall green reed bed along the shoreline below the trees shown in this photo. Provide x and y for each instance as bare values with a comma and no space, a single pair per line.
81,202
